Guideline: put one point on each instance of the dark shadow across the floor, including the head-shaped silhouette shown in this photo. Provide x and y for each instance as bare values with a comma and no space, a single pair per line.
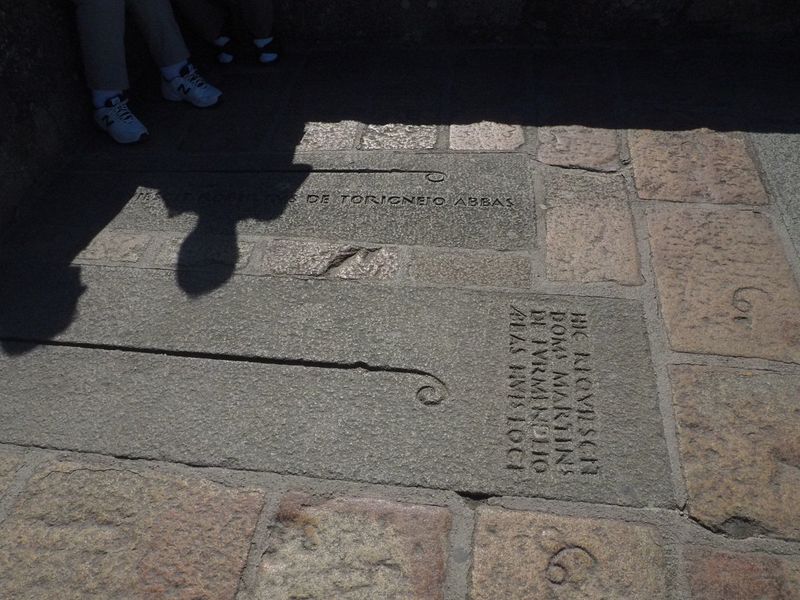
266,110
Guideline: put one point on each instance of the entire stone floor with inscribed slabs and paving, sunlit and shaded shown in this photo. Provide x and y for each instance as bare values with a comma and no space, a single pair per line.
475,324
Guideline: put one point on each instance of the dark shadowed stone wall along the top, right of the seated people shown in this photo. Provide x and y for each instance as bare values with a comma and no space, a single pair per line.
473,22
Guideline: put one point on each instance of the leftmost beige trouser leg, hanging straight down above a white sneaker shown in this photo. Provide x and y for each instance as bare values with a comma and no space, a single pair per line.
101,25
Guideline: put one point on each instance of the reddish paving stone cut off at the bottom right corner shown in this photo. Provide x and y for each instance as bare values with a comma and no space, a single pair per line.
715,575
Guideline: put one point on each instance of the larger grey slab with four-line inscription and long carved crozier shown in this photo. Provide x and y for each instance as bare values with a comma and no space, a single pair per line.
511,392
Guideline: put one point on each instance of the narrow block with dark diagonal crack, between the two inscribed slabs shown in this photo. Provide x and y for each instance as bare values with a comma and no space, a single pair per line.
322,259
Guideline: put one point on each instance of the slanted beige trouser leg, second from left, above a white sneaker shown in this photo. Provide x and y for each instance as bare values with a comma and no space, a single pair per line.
163,35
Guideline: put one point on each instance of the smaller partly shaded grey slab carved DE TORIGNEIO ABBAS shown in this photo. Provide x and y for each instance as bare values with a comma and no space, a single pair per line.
468,201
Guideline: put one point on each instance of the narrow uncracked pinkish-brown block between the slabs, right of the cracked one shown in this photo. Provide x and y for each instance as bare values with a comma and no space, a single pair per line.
494,269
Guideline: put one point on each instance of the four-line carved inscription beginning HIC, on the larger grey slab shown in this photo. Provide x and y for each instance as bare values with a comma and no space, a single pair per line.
551,425
